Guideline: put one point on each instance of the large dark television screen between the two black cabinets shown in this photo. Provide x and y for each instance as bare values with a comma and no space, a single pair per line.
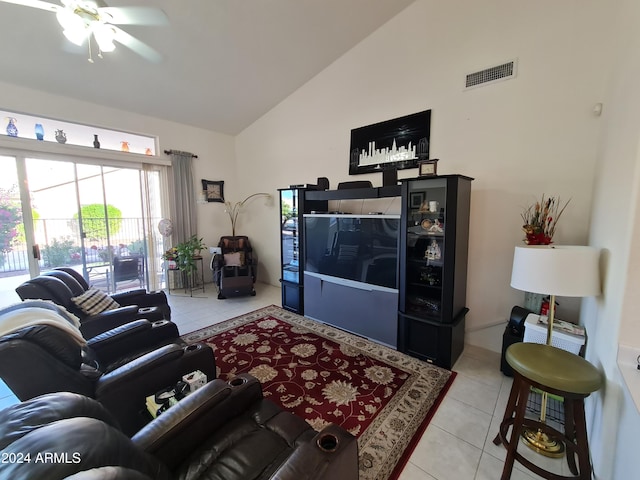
358,248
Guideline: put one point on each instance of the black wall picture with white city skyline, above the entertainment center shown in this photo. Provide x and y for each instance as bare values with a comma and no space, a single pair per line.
395,144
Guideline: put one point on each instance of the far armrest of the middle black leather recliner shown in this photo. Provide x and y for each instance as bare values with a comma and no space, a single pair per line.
133,336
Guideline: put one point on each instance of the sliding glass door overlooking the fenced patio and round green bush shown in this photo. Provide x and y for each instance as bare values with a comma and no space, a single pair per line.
92,218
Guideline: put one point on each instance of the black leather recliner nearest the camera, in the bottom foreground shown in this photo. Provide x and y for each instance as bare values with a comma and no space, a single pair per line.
224,430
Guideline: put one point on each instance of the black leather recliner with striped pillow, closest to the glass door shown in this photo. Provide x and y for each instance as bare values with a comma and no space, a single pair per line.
60,287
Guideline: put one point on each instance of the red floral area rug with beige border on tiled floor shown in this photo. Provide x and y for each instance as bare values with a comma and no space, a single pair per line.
326,375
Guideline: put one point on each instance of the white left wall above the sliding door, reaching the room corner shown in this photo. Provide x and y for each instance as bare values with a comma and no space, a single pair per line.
216,152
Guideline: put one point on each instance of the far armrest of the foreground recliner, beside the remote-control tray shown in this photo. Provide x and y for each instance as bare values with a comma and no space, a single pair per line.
185,426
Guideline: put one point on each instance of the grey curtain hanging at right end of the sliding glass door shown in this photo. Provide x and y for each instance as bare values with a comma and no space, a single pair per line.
183,211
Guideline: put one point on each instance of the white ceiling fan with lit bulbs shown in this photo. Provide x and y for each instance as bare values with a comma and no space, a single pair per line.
86,19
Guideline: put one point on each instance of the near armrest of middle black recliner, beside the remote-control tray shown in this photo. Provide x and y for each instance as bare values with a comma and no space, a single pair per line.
123,391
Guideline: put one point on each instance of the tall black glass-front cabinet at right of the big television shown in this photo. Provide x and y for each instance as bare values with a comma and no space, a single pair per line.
433,267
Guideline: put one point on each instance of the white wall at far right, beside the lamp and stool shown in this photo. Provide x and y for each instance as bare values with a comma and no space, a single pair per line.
613,420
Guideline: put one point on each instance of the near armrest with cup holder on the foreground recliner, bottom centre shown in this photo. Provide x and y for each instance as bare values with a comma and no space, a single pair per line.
331,453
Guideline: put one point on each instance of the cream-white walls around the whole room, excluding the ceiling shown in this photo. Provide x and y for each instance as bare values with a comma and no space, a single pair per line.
518,138
